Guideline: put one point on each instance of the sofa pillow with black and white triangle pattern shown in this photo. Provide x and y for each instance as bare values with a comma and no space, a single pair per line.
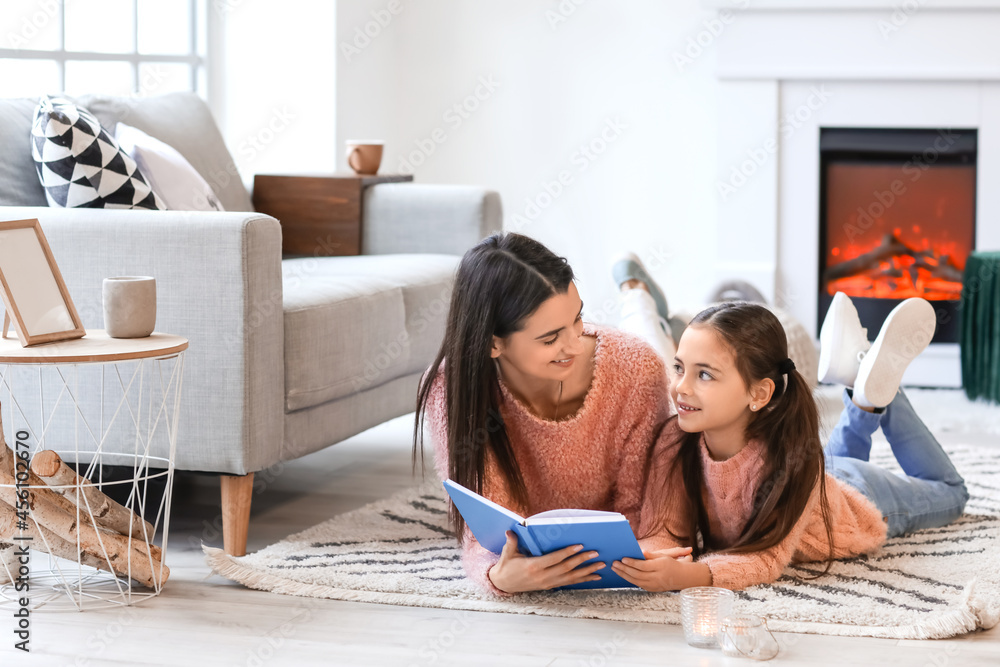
80,165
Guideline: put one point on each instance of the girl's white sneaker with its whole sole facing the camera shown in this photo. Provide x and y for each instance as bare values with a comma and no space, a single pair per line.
905,334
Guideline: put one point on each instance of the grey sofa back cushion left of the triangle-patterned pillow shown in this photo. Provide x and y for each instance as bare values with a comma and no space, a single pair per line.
19,184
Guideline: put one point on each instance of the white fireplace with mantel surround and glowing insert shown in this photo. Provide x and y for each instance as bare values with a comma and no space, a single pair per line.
828,64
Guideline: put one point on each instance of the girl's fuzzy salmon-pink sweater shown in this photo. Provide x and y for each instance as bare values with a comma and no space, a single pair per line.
728,489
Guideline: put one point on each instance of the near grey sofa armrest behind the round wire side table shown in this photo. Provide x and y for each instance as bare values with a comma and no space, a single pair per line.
218,283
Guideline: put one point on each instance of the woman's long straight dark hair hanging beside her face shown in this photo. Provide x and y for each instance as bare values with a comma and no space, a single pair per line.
500,282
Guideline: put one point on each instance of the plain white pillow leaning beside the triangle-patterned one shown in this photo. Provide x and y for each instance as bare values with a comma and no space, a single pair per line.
172,177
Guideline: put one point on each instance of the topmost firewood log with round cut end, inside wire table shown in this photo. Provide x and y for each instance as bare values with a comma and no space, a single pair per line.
83,494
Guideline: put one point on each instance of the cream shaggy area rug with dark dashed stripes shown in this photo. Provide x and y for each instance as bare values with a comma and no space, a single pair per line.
933,584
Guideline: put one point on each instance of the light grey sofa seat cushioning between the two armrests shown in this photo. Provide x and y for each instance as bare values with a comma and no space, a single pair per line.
353,323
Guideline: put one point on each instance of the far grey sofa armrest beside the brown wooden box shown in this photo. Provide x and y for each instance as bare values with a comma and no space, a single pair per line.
416,218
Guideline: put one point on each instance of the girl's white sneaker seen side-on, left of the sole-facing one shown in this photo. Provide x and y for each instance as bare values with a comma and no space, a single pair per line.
843,342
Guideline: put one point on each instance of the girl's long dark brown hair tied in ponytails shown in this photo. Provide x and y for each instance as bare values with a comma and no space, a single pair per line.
788,426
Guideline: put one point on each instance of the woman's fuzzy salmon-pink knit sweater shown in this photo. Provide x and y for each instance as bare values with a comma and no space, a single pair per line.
595,459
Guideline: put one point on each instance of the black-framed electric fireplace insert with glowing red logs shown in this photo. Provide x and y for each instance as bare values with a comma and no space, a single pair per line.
897,220
